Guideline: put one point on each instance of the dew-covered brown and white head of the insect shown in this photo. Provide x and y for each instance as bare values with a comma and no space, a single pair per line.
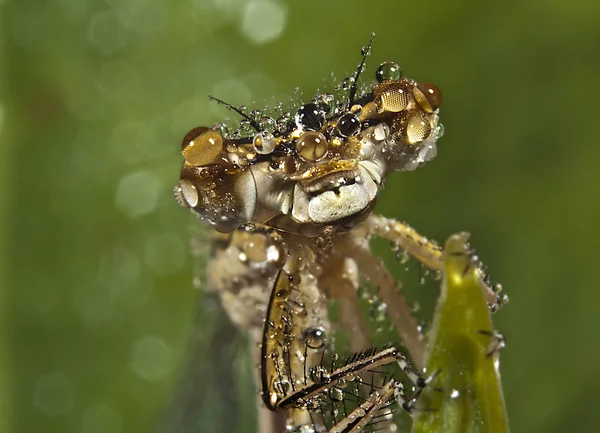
317,172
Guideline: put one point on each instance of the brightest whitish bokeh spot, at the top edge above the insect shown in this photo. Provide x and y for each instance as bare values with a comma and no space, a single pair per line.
263,20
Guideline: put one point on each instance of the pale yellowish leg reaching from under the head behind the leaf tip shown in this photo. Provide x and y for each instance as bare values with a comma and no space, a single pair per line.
426,251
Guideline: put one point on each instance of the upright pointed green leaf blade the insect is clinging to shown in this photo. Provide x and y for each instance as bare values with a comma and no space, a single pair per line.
466,395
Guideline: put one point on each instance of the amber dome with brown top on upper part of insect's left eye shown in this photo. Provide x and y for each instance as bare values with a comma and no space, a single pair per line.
202,146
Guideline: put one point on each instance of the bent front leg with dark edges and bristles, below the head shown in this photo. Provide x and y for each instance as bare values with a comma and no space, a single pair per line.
292,374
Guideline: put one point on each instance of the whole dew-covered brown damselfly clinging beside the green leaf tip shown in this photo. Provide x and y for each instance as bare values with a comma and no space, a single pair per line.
290,201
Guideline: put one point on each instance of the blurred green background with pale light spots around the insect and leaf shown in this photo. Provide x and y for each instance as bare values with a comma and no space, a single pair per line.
97,300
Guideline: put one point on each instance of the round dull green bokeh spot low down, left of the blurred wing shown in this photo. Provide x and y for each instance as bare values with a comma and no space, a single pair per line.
152,359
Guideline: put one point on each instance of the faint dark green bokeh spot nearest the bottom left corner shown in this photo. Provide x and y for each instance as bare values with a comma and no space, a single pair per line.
54,394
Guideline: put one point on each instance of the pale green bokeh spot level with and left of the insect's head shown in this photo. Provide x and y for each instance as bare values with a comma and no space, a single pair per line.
137,194
